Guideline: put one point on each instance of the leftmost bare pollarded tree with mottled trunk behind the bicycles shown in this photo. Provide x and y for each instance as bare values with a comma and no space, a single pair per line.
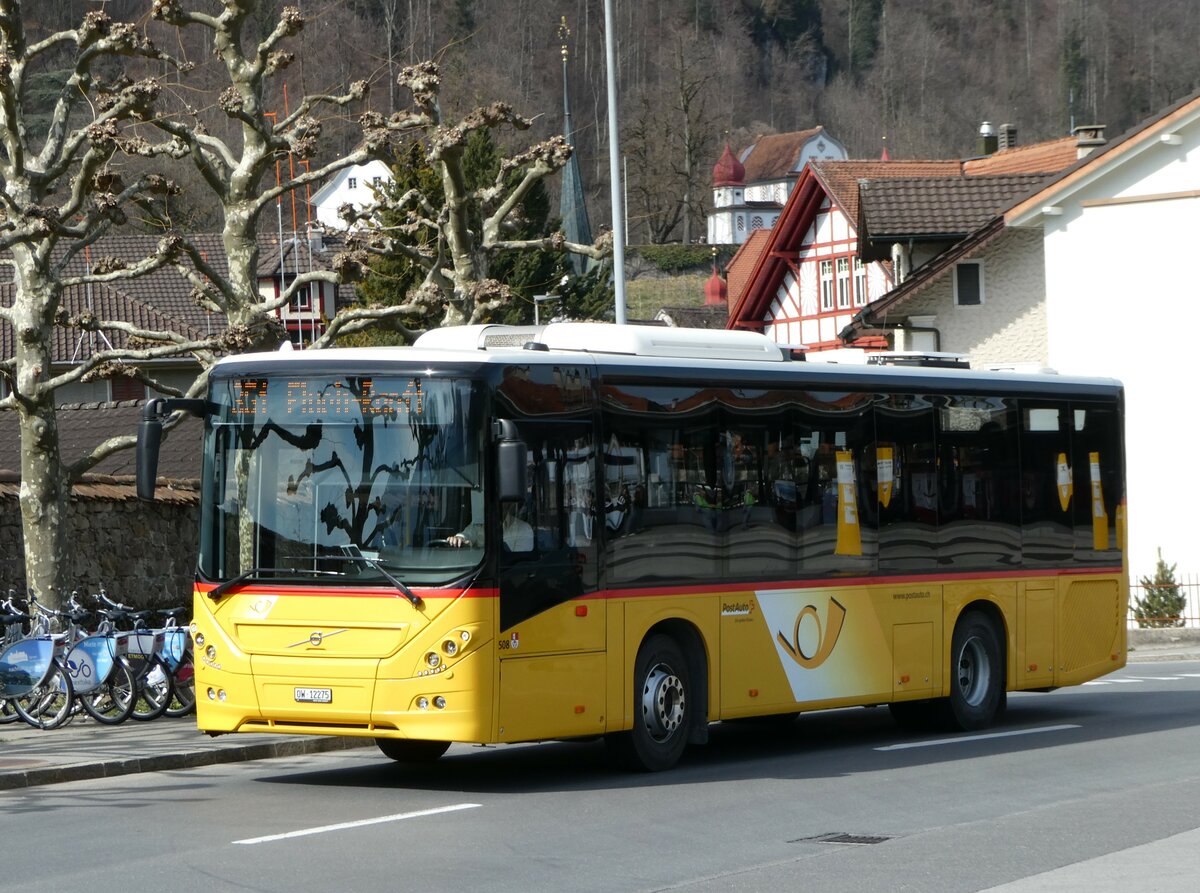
62,193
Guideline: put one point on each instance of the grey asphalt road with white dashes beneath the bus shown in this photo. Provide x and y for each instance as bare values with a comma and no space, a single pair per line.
1095,788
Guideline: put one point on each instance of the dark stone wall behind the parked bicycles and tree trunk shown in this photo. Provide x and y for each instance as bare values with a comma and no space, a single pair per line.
142,554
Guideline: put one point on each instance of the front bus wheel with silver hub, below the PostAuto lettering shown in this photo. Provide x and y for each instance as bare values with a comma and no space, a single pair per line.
662,709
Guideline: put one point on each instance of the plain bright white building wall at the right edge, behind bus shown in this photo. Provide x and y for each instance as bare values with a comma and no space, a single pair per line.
1121,296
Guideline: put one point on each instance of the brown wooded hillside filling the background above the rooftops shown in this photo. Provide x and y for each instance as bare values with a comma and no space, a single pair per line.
917,76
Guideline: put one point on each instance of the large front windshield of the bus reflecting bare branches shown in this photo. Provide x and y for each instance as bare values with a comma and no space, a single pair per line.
344,480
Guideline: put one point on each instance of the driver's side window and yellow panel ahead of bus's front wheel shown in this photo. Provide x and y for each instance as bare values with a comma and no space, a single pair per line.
553,632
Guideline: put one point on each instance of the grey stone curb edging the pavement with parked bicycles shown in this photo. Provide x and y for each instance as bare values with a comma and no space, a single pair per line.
181,760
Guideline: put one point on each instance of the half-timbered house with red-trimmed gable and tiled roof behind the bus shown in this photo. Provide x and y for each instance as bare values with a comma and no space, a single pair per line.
853,232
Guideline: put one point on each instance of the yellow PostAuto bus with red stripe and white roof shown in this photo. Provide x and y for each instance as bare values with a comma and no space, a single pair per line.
512,535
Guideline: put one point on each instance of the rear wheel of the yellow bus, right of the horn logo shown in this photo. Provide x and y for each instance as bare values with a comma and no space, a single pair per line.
977,674
